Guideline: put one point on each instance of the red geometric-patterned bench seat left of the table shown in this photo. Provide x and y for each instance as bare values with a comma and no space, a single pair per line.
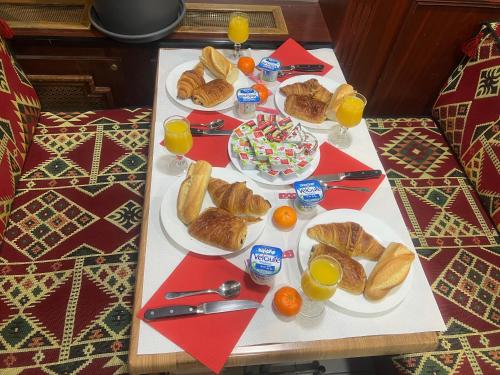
69,253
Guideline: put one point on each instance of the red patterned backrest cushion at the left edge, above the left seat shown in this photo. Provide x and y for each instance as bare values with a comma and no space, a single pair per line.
19,111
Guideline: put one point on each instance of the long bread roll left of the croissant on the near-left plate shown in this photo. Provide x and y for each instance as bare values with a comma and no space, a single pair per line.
192,191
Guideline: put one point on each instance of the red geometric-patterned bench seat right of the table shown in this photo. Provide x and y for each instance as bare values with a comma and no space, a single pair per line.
456,241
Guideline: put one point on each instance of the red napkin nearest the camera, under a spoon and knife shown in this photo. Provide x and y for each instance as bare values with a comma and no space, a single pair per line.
208,338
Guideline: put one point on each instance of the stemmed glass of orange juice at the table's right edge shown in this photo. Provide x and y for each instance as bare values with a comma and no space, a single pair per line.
349,114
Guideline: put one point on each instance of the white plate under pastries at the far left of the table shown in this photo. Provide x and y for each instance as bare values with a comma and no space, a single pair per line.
176,73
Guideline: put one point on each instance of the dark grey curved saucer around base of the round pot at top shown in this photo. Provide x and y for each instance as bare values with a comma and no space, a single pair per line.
141,38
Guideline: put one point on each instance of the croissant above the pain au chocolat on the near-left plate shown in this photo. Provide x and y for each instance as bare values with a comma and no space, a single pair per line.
237,198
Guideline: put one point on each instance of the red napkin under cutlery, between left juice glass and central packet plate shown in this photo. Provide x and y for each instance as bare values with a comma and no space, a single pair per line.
211,148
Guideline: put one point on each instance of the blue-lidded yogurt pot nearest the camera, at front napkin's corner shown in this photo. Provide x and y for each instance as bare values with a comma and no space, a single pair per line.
264,263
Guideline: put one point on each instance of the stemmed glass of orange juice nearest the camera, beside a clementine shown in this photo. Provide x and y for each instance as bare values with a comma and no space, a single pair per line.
319,283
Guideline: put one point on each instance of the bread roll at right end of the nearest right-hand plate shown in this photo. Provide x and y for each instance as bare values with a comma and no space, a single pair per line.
390,271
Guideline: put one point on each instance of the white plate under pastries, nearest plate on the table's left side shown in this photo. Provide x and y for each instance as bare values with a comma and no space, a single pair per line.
177,230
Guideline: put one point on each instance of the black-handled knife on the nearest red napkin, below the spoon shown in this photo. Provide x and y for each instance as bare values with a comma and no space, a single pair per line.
204,308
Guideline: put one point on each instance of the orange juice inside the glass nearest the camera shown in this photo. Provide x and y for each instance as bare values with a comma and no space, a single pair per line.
320,281
